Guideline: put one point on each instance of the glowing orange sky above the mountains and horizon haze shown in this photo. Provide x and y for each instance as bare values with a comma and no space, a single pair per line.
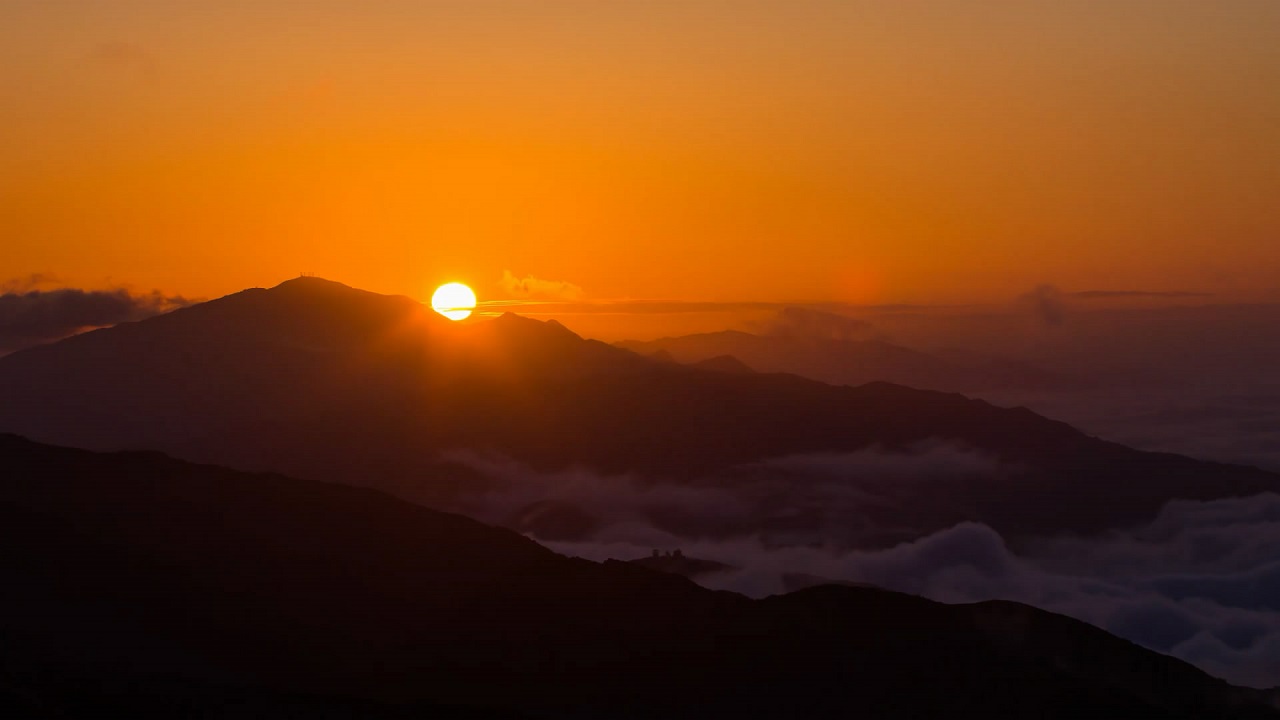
693,152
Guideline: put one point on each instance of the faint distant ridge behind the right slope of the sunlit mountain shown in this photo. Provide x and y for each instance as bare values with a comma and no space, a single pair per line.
853,361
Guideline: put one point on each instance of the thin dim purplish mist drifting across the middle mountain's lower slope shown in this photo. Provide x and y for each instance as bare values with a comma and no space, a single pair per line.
866,499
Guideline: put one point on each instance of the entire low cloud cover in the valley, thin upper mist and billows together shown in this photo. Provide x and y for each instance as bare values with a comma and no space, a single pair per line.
1201,582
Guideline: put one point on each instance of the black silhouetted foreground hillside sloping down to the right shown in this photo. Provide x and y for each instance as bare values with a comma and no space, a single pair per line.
138,585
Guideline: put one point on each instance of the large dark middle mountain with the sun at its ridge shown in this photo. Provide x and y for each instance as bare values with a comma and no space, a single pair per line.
322,381
